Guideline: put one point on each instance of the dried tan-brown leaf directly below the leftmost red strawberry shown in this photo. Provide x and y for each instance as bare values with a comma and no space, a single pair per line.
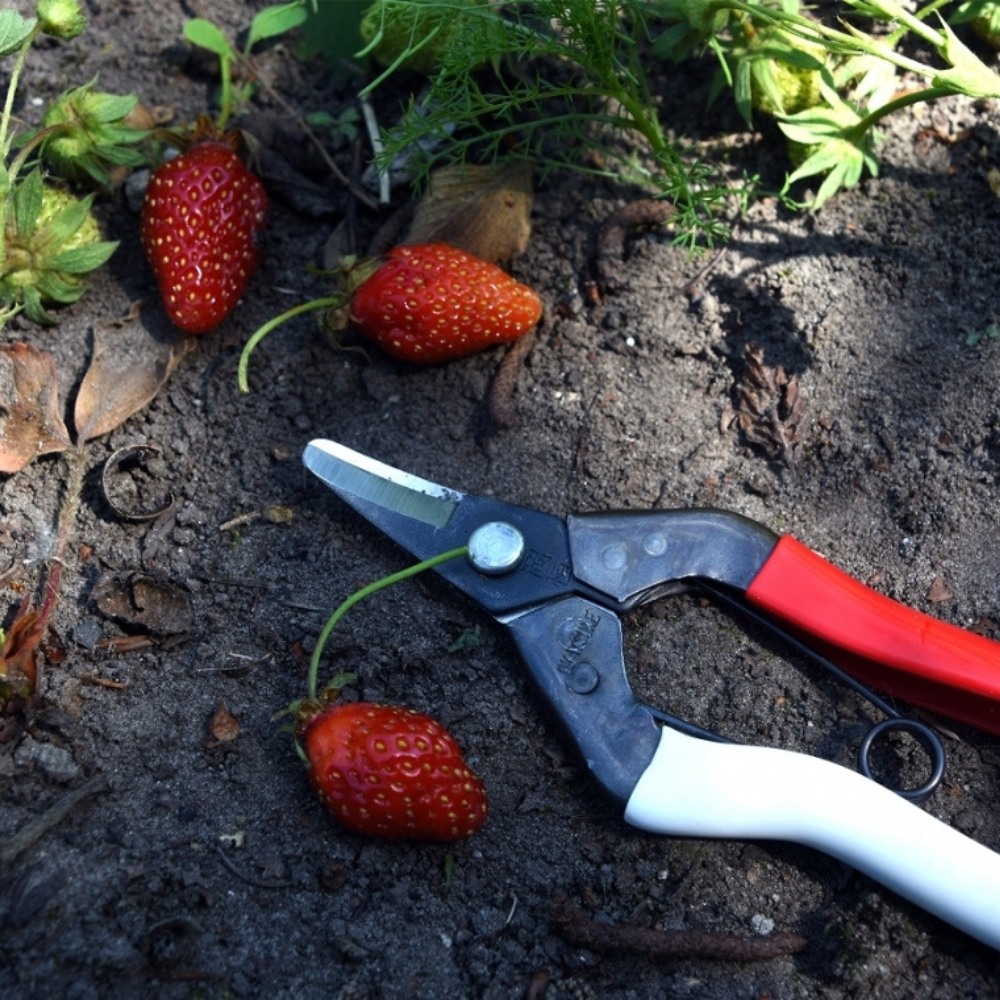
129,366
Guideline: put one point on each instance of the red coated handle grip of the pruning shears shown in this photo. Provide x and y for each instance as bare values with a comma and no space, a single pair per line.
884,644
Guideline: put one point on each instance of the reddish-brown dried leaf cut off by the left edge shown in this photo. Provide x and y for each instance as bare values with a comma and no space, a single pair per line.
30,422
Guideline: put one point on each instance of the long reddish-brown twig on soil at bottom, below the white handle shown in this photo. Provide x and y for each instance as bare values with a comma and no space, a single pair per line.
582,931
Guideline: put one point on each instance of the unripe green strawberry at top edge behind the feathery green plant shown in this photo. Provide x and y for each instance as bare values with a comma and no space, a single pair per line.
432,28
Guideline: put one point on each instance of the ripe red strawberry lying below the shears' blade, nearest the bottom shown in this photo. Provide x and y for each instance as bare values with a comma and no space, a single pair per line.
391,772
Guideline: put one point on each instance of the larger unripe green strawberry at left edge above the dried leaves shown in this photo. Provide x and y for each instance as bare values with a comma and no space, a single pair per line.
52,241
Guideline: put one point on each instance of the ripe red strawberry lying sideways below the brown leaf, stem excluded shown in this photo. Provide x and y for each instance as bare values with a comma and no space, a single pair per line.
431,302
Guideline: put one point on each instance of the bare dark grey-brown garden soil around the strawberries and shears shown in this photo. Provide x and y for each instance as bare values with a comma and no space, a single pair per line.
199,868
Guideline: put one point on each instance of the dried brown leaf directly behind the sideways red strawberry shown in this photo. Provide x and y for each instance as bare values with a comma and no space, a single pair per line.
482,210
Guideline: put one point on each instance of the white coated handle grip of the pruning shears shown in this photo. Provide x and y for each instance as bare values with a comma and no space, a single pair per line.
696,788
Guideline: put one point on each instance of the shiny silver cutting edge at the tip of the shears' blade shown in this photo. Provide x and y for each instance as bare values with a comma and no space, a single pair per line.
351,474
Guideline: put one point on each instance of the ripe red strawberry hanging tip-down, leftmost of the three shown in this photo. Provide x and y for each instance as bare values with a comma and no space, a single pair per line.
202,213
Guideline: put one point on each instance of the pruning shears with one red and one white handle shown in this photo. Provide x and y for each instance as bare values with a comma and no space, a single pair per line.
560,587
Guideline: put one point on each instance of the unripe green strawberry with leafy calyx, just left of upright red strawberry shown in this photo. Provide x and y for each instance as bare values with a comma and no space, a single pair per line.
90,134
